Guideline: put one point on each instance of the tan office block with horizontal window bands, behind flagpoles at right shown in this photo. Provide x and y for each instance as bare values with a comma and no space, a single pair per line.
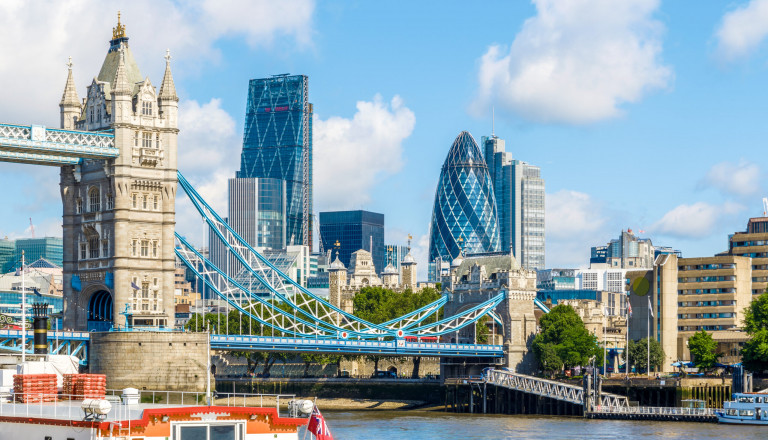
687,295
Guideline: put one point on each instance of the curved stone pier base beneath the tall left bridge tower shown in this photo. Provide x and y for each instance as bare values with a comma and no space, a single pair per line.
172,361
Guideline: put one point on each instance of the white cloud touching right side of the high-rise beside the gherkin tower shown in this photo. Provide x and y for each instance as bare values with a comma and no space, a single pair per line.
574,219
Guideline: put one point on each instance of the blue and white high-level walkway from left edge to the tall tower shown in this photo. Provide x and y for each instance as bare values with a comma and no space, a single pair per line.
37,144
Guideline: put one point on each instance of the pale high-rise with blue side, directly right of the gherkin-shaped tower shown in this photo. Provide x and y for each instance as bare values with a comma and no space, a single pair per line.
519,192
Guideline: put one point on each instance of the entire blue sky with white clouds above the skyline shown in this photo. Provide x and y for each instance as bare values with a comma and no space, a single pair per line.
641,114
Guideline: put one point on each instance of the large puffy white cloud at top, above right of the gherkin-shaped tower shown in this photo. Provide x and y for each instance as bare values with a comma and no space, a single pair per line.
576,61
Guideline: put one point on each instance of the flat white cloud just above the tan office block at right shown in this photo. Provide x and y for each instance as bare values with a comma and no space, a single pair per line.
698,220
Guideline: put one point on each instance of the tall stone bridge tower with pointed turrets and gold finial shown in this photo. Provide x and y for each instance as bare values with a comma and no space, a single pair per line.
119,214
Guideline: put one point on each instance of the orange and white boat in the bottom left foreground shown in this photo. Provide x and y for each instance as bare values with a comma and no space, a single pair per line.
133,414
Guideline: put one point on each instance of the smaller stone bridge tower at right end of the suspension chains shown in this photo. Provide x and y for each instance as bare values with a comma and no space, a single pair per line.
475,279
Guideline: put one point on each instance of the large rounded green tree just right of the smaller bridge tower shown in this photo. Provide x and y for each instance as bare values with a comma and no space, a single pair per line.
563,329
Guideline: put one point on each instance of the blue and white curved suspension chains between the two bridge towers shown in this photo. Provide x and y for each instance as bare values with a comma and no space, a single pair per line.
307,314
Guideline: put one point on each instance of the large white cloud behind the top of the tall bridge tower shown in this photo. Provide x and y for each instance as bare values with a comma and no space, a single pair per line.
37,37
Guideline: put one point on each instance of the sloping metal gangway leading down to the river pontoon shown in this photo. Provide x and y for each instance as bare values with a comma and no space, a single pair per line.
549,388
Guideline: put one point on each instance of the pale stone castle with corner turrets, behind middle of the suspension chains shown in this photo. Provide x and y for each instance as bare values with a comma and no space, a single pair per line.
343,283
